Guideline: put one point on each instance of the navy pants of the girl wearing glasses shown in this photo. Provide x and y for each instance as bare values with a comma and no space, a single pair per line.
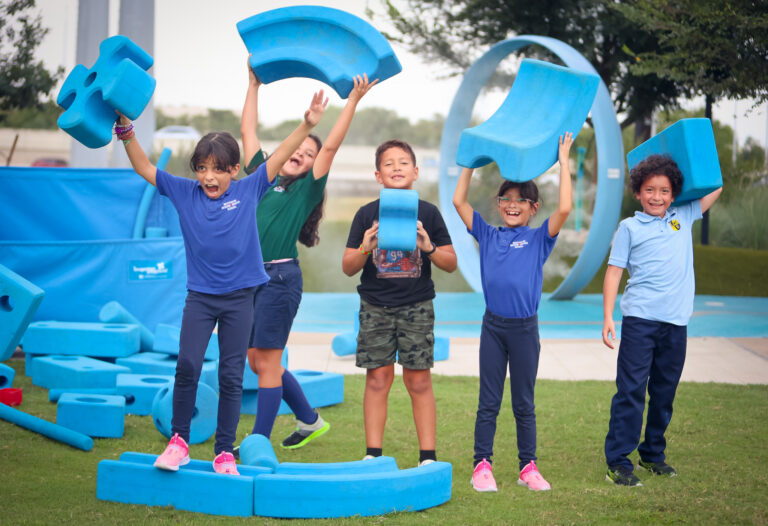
513,343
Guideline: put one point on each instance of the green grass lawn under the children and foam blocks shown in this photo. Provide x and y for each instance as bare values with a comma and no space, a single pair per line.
716,441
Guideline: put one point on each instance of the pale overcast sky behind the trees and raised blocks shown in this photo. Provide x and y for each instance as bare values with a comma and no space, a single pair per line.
200,61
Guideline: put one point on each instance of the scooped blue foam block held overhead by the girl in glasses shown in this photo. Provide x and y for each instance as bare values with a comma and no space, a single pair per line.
545,102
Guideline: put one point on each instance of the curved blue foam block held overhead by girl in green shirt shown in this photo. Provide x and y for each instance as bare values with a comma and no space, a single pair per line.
316,42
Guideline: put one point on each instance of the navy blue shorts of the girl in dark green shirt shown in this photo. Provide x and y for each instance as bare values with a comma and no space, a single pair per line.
275,305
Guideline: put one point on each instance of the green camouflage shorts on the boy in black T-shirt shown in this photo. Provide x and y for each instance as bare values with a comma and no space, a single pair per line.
385,330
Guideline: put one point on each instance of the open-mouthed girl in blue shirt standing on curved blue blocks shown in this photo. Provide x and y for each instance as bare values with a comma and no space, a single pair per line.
218,223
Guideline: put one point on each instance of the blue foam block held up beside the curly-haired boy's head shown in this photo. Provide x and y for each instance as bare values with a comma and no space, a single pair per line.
691,144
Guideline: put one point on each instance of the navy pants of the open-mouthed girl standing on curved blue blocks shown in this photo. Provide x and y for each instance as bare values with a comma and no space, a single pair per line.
234,313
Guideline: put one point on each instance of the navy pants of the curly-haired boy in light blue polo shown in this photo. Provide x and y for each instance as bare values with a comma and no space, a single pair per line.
651,354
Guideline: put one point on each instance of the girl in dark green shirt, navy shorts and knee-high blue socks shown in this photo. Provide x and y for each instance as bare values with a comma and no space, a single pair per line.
289,212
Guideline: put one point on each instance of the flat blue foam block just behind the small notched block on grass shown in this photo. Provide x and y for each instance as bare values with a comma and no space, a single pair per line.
74,371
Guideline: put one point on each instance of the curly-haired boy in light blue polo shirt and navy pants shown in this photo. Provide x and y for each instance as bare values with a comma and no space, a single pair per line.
655,246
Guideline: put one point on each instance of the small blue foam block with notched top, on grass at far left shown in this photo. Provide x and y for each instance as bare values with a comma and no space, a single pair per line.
100,416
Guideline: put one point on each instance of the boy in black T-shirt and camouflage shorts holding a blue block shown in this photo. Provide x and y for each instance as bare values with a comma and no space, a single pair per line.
396,314
